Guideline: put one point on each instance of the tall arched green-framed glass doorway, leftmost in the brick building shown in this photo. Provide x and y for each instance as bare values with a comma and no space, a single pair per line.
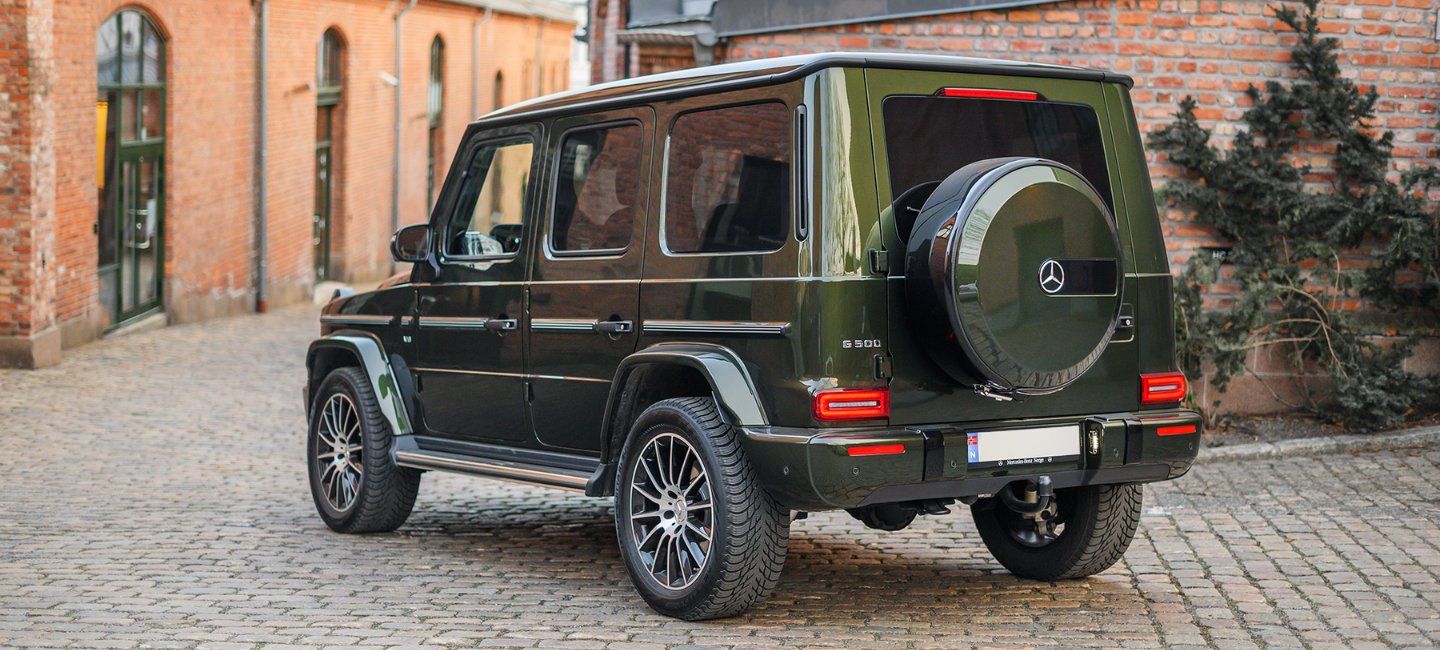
130,66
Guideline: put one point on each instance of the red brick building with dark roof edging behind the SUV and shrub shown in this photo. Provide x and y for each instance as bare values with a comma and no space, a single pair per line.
1212,50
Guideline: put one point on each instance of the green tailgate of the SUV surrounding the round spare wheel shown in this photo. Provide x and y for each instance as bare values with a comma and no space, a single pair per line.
930,125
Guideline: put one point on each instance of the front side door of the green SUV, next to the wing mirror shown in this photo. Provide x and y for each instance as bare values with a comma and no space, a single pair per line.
470,321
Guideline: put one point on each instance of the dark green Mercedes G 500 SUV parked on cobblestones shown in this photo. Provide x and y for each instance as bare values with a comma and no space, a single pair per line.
732,296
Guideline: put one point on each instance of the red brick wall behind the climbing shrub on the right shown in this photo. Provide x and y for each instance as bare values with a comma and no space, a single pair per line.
1176,48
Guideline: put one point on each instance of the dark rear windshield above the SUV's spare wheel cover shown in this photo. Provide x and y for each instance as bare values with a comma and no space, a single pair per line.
930,138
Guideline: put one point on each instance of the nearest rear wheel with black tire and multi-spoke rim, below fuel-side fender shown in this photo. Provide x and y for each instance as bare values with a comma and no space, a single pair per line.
748,531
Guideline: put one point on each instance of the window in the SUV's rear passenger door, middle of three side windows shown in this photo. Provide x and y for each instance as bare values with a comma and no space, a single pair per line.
597,188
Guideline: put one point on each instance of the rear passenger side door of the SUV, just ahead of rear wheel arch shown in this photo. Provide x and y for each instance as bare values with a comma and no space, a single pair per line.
585,286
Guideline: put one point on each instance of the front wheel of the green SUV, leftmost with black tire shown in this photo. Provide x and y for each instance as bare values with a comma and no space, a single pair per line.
364,495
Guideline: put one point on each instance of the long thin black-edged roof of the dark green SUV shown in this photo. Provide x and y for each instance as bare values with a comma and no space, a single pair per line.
809,66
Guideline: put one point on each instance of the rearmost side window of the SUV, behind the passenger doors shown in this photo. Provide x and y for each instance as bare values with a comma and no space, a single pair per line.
728,184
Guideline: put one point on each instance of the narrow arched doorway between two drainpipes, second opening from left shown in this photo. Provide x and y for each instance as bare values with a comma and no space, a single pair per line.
329,130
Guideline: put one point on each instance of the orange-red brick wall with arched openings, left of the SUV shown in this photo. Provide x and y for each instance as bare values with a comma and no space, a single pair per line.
48,146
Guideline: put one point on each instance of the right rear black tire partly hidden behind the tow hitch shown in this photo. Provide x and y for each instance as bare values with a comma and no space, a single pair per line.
1099,525
